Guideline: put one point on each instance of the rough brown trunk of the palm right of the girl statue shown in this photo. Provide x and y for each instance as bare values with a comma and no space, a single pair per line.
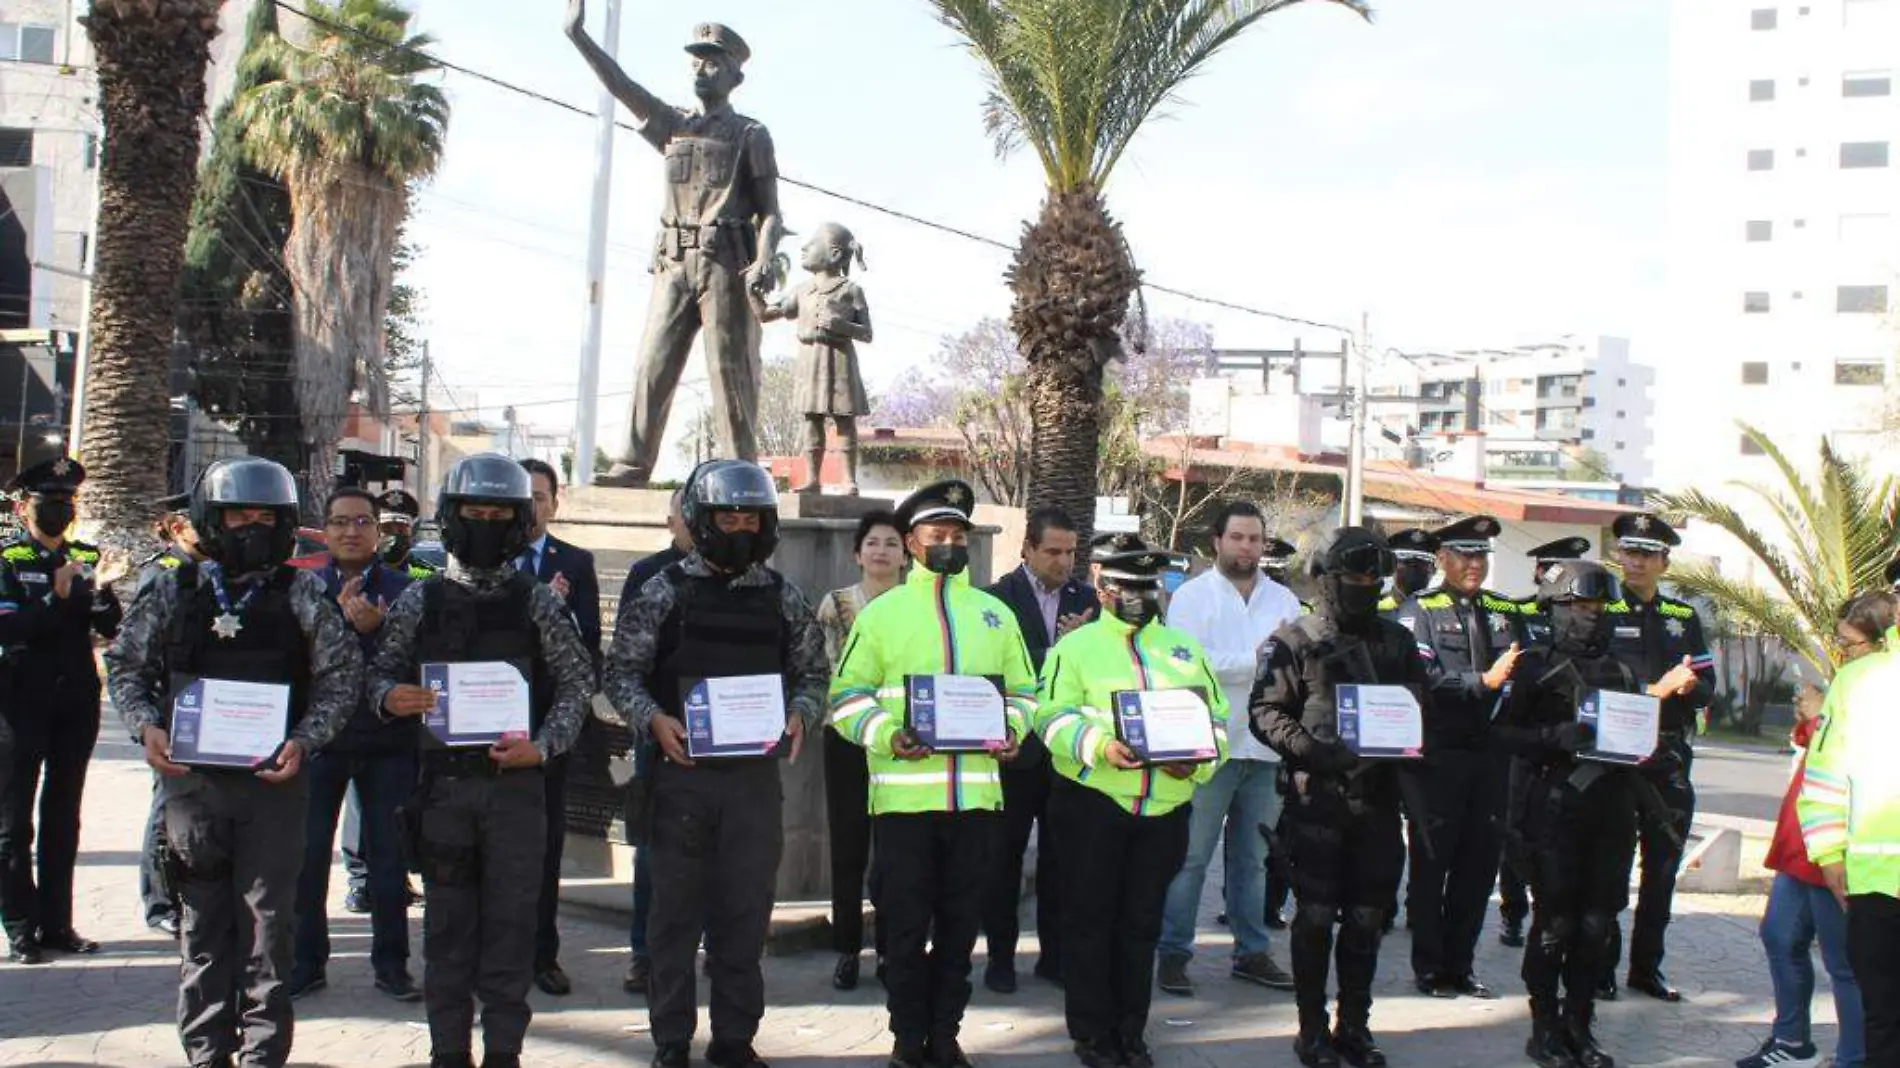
1073,280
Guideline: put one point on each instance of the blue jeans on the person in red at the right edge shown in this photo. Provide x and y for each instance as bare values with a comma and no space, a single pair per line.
1791,925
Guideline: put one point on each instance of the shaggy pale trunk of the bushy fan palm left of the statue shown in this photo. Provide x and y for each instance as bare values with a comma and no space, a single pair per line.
339,257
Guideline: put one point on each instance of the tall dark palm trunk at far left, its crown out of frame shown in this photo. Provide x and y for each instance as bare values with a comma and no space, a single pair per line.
151,58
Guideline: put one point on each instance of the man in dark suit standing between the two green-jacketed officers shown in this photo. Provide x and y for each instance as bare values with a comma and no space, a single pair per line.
1048,603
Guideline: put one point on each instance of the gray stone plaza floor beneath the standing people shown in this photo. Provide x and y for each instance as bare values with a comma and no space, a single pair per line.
119,1008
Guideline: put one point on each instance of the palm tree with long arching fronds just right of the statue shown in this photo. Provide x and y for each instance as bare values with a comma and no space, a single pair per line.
1076,81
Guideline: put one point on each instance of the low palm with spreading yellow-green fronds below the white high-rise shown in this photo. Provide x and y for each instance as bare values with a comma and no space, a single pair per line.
1836,535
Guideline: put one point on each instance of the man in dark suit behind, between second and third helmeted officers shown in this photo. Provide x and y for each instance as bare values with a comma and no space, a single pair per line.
571,573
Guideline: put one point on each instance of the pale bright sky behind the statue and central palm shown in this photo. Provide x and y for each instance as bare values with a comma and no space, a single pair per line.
1470,172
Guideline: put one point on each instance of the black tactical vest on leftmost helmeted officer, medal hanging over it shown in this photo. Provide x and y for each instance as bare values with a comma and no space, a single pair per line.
269,647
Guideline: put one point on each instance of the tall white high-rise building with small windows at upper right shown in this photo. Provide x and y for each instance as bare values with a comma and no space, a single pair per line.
1785,233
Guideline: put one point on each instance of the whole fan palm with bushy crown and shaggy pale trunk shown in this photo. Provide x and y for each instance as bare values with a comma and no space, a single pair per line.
349,126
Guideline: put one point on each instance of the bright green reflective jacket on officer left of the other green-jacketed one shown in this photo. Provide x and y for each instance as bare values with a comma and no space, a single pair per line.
928,626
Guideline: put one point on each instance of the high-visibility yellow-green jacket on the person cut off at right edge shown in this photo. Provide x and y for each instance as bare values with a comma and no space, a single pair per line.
1850,803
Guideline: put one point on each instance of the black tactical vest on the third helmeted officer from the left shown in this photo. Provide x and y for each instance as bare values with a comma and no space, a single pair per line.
717,630
